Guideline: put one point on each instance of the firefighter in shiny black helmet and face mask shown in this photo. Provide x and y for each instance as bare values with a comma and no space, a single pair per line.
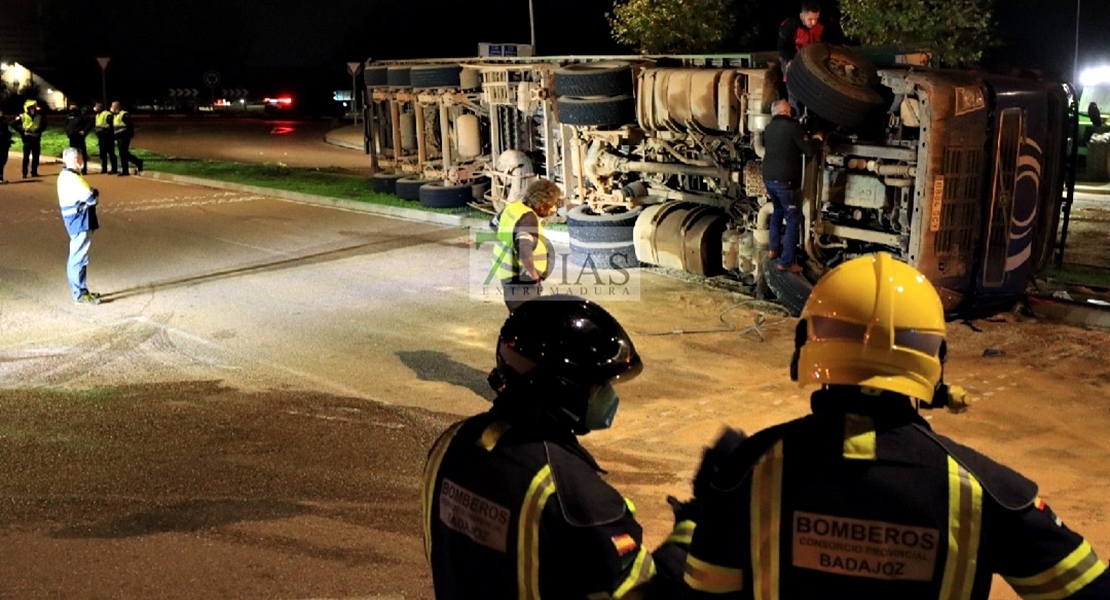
513,505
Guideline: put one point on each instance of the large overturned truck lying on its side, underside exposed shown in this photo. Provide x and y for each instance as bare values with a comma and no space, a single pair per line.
958,174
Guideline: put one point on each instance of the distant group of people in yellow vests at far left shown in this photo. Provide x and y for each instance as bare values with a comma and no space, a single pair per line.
114,128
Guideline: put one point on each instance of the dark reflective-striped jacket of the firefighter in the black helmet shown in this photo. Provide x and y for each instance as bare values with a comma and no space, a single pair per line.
520,512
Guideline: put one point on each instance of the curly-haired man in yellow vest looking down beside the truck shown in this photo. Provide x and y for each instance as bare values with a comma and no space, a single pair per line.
520,255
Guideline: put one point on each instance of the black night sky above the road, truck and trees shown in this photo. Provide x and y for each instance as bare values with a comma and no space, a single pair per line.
278,46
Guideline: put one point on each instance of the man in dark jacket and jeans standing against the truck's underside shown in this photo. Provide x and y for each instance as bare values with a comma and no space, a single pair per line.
786,145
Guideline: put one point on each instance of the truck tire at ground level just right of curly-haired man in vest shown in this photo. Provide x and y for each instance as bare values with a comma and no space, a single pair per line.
606,240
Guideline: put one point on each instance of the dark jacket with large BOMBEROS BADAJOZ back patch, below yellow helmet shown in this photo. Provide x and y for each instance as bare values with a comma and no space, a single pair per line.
862,500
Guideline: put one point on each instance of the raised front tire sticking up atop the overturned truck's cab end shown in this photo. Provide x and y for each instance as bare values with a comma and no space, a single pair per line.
834,83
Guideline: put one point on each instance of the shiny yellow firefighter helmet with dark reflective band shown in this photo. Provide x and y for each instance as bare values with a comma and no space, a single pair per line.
872,322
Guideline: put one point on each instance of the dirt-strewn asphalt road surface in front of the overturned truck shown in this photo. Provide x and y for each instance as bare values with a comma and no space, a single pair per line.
247,414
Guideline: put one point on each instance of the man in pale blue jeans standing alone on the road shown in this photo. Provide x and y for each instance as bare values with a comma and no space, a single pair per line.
78,204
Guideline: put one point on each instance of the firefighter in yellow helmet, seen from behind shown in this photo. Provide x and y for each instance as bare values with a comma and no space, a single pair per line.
862,500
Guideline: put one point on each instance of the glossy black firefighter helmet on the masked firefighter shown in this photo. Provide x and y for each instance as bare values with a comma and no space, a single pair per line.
553,350
